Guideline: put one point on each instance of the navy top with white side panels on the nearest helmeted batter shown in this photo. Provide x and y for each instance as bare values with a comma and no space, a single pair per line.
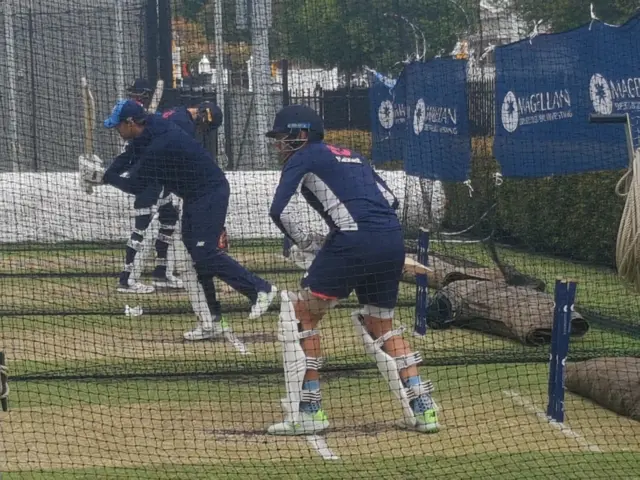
340,185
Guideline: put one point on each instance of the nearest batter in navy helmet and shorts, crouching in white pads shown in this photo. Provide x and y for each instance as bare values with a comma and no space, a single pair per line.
364,251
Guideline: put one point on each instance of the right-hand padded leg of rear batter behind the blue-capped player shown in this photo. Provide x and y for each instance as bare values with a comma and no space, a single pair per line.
168,217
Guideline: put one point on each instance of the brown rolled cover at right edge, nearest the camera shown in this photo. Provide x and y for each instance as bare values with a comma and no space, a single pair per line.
613,383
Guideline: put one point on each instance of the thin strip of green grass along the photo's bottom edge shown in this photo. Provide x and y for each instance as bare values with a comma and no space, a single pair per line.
568,466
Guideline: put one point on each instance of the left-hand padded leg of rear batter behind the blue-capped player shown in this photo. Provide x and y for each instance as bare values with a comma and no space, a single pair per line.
143,211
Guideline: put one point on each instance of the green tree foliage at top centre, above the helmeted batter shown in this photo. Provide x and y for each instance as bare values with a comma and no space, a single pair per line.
352,33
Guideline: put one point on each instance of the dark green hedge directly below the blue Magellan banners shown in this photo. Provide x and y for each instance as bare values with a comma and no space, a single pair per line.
573,216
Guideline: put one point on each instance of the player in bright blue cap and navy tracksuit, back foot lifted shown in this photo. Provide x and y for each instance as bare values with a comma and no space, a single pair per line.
169,160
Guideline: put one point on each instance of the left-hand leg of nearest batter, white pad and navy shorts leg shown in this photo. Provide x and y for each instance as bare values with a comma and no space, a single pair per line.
328,279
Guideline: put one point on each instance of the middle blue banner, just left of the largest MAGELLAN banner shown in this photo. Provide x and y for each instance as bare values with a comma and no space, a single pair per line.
438,145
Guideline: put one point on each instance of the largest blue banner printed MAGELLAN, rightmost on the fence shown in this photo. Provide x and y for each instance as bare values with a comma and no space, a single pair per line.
547,87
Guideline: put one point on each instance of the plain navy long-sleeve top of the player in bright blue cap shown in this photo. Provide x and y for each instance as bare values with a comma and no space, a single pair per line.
166,156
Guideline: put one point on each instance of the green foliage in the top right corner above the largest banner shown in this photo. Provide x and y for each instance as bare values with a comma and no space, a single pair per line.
566,14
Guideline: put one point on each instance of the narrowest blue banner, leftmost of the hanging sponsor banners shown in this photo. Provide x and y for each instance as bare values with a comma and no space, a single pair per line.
388,119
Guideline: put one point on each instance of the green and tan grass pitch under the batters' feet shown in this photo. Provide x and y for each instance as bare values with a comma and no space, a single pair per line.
200,410
